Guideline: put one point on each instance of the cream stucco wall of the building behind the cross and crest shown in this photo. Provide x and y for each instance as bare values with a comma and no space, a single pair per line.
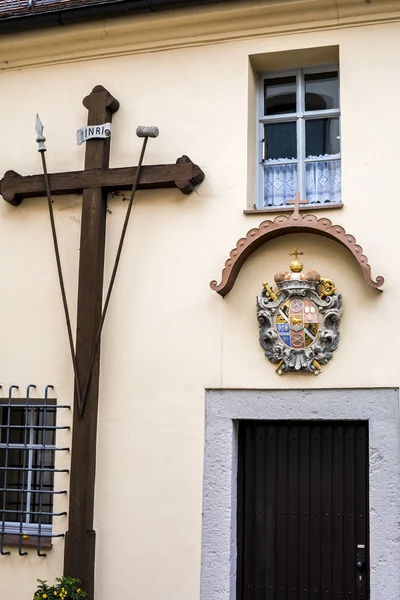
168,337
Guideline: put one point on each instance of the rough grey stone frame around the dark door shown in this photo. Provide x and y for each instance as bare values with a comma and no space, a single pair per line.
224,408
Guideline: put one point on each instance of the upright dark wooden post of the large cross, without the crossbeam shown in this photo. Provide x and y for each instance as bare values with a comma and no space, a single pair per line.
79,558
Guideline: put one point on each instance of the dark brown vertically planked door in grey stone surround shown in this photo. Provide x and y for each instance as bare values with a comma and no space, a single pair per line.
303,516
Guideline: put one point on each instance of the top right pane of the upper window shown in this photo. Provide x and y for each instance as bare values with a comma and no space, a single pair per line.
322,91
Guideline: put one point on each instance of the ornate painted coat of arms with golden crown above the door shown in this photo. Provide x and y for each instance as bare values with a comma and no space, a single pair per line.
299,322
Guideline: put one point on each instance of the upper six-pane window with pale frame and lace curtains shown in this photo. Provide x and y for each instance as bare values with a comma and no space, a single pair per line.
299,129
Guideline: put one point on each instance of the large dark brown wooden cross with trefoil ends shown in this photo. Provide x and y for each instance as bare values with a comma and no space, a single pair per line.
94,182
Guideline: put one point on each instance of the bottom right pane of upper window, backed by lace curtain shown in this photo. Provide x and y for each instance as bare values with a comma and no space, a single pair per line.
323,182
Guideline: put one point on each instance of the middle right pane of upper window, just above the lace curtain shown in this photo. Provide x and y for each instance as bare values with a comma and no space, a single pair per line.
322,137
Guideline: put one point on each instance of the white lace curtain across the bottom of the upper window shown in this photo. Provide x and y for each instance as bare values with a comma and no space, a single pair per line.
323,182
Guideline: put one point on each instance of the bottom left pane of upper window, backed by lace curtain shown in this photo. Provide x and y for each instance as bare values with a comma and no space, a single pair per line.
280,184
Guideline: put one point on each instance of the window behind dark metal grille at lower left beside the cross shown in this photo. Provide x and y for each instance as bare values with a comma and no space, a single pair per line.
27,467
